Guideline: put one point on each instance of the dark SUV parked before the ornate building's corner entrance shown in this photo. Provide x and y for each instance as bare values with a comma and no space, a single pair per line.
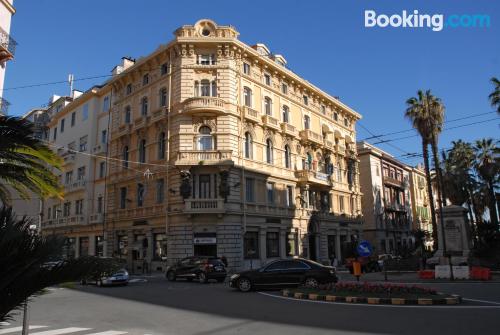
198,267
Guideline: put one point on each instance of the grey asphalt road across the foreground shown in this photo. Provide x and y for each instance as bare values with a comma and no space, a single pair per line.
160,307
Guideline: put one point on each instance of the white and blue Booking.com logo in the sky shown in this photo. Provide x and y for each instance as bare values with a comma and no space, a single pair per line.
437,22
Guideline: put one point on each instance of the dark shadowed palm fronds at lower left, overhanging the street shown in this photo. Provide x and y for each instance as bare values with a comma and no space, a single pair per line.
23,263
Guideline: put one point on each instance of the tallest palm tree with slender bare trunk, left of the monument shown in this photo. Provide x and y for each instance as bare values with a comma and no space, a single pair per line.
424,111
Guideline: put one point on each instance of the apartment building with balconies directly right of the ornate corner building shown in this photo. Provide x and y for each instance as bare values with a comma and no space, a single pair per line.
387,206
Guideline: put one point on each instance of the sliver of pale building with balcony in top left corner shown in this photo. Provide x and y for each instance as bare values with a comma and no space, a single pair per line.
7,47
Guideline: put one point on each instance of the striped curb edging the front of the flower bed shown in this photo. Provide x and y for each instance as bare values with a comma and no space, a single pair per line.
453,300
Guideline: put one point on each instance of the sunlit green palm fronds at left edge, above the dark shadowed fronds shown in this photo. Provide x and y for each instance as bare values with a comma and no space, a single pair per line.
25,162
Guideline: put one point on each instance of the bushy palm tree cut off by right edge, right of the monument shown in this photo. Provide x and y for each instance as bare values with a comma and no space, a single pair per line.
488,169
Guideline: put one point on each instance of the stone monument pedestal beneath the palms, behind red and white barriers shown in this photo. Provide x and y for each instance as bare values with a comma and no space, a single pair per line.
457,235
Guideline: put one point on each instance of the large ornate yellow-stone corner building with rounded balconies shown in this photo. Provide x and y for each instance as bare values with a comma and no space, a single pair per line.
231,152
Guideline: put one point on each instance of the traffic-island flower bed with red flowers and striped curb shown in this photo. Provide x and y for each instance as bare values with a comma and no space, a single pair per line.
374,293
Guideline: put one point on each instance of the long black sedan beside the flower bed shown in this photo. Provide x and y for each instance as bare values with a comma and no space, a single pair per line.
284,273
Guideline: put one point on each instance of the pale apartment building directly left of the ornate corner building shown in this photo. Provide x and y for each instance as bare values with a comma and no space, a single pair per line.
78,132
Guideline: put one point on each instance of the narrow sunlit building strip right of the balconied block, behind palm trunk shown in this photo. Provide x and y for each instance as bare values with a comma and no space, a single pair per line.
420,203
